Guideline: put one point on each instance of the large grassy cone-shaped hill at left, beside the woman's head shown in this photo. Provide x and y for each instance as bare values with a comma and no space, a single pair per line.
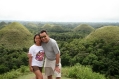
15,36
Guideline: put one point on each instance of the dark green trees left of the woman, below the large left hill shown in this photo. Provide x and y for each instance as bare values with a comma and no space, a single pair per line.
12,59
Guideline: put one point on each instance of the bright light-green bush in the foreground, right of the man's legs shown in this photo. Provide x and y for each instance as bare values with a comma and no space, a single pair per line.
81,72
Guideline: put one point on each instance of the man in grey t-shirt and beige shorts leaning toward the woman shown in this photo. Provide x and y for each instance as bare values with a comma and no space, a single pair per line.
52,63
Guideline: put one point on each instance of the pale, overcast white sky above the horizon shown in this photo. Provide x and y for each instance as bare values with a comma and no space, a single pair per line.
60,10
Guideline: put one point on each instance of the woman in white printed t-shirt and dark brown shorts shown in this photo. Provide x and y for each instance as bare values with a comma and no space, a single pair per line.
36,57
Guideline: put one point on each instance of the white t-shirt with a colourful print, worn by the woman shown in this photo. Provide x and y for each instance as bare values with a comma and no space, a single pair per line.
36,59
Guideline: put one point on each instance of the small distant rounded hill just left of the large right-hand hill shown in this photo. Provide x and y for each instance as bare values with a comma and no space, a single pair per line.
84,28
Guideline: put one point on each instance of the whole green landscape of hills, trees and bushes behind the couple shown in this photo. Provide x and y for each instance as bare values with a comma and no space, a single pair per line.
98,49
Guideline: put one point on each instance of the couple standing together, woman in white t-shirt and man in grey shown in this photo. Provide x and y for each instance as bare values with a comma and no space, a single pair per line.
50,49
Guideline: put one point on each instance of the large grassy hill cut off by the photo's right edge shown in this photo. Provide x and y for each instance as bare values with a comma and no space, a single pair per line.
107,33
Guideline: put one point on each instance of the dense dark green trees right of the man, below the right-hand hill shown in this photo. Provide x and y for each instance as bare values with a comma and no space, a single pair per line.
102,56
